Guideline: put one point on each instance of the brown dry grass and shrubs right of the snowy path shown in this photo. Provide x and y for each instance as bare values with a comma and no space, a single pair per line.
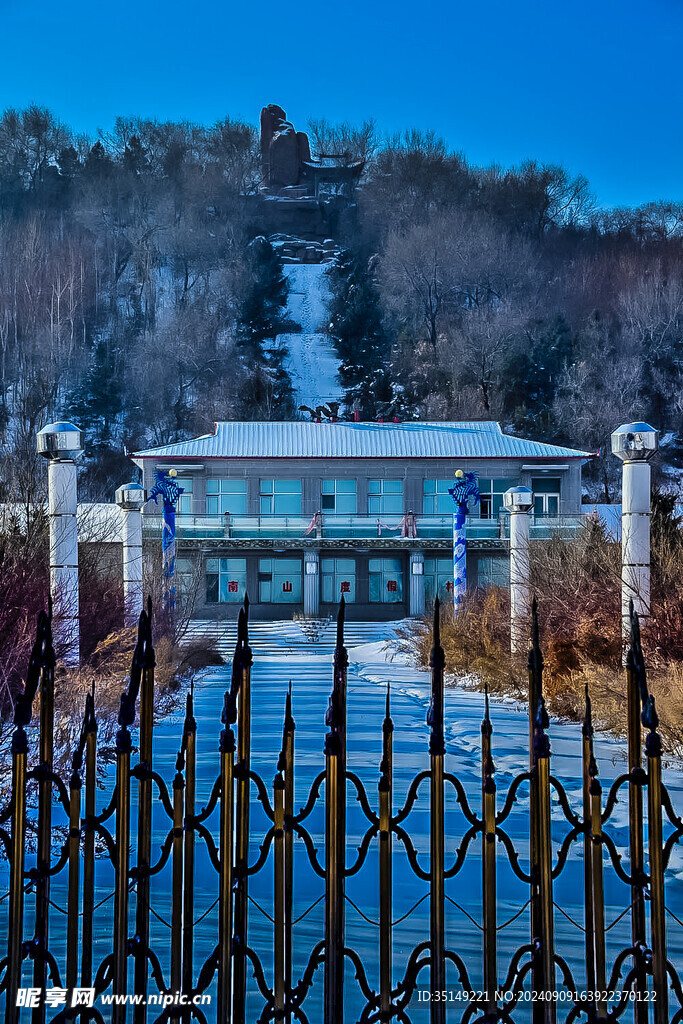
578,587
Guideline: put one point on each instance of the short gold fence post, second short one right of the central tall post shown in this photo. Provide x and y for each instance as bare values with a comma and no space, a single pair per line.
489,864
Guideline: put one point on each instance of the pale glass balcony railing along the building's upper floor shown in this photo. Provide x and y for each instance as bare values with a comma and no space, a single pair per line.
326,527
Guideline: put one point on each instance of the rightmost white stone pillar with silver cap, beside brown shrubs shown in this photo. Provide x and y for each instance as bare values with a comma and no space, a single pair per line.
635,445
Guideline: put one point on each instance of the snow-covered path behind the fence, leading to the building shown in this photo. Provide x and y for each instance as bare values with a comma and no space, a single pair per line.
281,656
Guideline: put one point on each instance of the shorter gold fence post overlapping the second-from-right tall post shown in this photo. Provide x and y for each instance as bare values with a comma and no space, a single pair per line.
545,938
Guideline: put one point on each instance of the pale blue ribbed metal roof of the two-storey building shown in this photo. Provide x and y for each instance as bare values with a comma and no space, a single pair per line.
302,440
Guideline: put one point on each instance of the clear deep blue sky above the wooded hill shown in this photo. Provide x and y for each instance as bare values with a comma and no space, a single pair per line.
596,87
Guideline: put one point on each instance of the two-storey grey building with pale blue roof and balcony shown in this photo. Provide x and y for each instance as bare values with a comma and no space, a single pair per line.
298,515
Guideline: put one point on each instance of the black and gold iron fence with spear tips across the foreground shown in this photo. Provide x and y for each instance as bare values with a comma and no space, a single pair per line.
641,982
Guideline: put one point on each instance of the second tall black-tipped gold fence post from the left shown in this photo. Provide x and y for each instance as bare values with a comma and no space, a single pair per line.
144,663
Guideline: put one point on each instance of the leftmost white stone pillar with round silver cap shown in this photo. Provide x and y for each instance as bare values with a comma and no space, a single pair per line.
62,444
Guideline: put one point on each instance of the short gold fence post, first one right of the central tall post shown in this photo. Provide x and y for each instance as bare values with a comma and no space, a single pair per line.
387,850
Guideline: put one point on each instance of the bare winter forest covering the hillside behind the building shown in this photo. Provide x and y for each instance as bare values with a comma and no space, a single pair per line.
139,297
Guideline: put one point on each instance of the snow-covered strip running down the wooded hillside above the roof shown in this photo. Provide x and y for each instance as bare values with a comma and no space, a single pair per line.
312,363
